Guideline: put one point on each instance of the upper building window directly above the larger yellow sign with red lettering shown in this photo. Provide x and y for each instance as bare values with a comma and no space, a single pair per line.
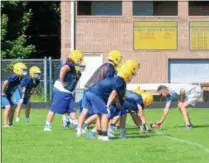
155,8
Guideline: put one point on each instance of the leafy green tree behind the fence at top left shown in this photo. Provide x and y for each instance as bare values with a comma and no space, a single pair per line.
14,23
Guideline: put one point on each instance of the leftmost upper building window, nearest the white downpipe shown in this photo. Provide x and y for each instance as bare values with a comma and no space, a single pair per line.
99,8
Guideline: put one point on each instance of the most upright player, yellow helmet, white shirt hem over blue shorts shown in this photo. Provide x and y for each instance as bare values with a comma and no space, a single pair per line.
64,86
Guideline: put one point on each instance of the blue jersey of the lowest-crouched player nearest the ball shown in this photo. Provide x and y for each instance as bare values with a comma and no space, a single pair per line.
132,100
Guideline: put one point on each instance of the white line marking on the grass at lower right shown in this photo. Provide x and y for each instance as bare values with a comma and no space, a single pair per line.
200,146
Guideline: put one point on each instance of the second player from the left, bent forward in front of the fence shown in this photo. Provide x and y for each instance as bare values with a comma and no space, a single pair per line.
23,93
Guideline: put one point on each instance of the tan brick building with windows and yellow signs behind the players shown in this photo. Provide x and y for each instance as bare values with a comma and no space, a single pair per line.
103,26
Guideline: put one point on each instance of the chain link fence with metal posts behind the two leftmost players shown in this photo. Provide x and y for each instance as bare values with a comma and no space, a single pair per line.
49,68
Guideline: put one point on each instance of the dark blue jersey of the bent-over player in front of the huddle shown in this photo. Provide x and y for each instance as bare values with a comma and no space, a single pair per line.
104,87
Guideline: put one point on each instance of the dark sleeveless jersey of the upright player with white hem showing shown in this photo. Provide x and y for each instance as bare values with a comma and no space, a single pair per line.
70,79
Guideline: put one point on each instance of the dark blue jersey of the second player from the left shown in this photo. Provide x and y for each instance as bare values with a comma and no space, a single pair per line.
29,84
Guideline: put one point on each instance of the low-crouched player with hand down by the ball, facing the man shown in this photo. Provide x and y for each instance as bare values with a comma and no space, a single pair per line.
135,101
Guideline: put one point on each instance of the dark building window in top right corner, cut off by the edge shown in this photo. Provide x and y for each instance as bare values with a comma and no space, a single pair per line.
198,8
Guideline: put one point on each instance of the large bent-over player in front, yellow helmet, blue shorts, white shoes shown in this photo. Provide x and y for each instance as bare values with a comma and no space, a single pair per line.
100,96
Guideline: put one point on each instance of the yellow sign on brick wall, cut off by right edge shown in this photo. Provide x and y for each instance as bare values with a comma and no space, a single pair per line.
199,35
